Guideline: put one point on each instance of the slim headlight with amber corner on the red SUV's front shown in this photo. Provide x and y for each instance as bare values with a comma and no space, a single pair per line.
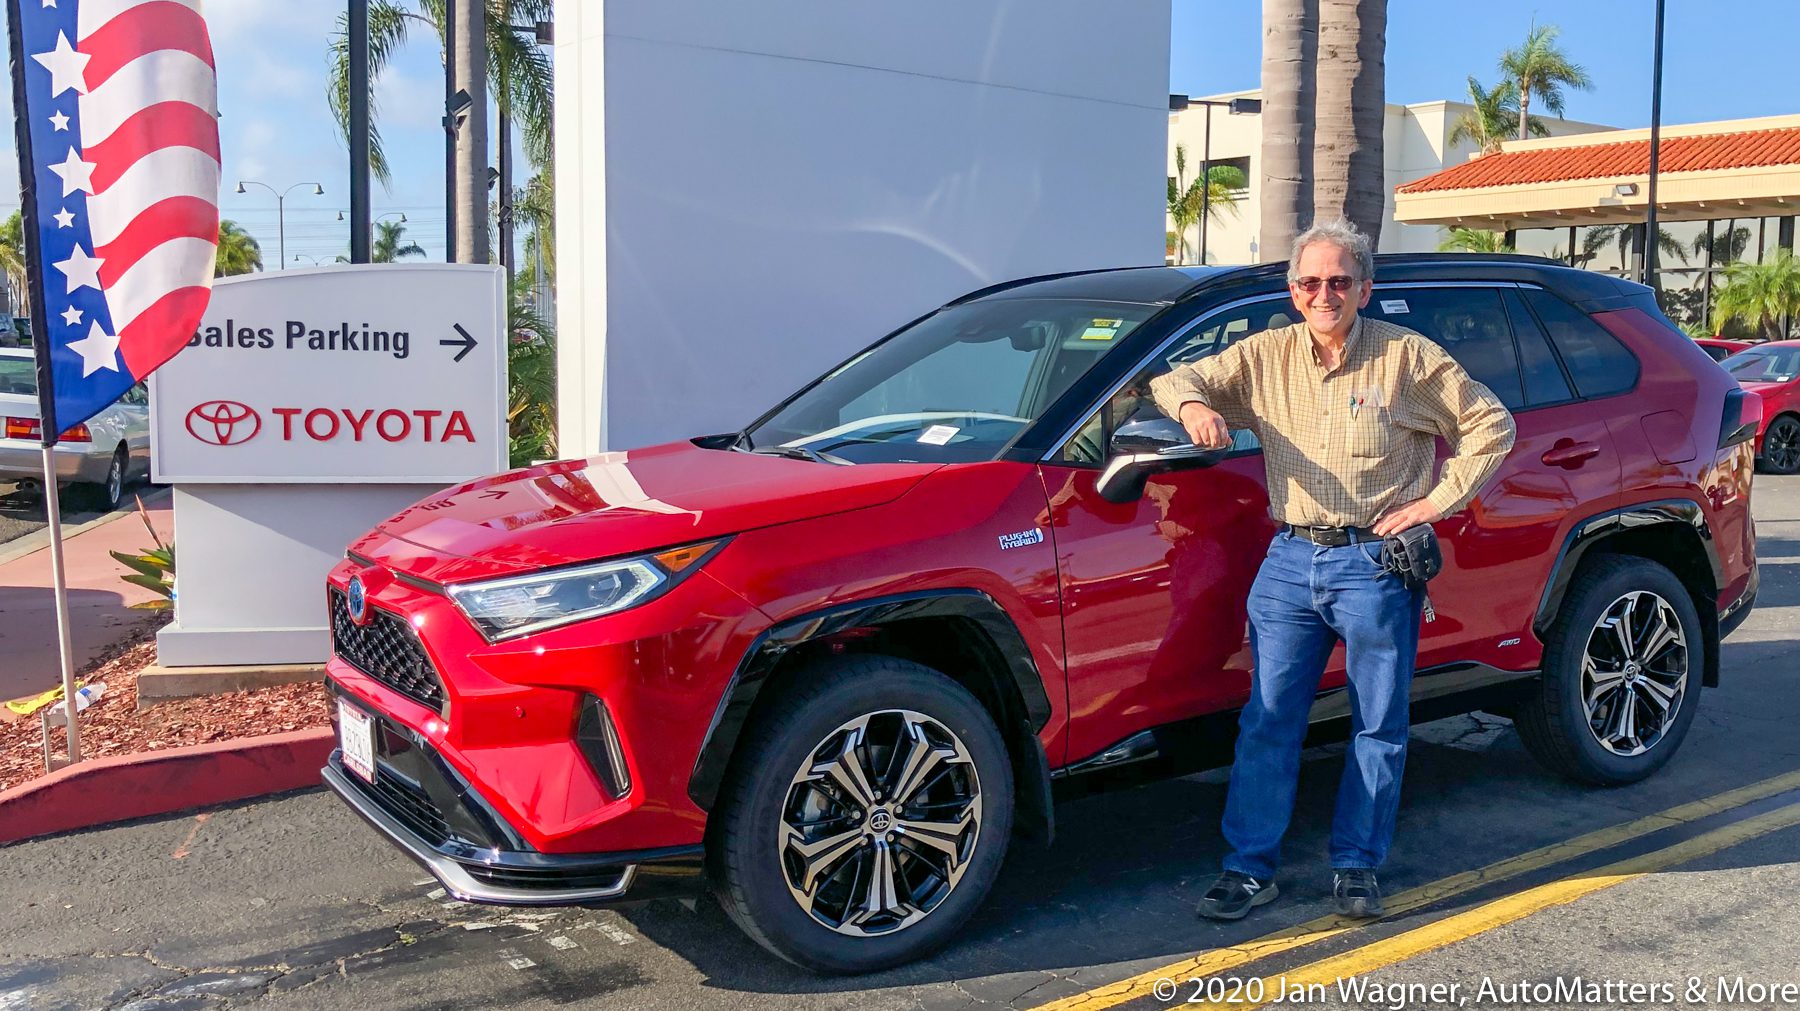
521,605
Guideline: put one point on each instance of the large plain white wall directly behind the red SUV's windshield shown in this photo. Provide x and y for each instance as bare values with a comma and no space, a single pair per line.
751,192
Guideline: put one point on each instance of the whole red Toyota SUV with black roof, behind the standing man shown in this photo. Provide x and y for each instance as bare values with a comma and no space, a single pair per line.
832,663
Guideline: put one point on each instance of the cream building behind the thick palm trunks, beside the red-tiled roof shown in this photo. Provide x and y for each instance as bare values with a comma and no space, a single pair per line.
1416,145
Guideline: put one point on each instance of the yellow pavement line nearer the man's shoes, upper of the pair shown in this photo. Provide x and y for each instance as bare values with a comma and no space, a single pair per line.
1399,904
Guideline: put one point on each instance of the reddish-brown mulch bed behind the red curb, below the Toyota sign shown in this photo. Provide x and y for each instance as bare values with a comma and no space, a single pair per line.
114,726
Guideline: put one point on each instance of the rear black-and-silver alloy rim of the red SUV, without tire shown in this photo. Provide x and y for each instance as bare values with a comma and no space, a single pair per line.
1635,674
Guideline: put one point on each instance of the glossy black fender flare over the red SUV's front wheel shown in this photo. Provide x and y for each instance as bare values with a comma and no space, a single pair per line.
775,643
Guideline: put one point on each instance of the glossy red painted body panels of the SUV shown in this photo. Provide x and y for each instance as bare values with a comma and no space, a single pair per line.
1135,616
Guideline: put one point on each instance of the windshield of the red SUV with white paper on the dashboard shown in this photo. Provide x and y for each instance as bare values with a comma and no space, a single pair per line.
957,388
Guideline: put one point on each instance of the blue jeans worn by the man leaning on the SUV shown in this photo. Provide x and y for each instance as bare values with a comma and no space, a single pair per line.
1306,600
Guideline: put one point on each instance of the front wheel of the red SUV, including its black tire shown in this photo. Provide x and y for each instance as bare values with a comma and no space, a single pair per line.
780,796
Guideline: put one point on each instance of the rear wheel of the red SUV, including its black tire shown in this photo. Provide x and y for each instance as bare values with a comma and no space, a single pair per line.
1560,726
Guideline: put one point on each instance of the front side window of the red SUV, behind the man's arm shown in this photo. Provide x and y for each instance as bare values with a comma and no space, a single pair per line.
1212,336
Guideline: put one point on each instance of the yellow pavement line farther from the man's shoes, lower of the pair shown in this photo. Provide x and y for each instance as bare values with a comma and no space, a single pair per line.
1500,913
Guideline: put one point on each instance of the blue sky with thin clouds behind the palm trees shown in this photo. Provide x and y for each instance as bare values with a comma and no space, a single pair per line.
1723,60
